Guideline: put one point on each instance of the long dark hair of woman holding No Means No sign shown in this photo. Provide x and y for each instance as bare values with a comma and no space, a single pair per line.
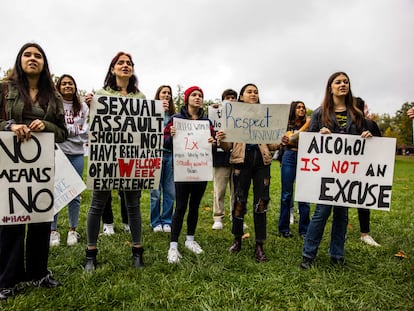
45,85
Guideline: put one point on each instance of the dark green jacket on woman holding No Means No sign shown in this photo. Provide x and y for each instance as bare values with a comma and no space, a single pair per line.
12,108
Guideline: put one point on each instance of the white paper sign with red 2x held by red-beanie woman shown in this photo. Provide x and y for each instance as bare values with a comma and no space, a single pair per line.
192,151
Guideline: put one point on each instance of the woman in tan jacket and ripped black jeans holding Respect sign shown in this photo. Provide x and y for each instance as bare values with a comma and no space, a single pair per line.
251,162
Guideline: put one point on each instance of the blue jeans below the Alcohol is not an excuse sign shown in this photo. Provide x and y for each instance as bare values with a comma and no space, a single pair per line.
317,225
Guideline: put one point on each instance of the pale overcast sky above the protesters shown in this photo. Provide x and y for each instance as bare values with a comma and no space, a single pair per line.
287,48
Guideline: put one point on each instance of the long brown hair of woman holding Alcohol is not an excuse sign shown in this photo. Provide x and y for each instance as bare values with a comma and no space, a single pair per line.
328,104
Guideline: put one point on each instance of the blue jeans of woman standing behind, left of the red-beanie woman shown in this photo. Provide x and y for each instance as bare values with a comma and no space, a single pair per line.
166,190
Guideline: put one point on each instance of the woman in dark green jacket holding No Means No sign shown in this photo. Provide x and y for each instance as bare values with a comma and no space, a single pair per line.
29,103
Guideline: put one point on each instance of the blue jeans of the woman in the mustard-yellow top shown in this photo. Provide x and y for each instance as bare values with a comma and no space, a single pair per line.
288,176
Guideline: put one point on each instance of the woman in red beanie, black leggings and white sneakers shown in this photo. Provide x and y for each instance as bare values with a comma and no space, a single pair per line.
187,193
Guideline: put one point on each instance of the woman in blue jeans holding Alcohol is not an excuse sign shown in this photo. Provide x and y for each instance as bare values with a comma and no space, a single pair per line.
338,113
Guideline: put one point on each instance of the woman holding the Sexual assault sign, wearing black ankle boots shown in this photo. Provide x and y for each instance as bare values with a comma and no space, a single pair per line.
120,80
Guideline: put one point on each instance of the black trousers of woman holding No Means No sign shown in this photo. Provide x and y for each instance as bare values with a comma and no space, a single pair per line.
12,253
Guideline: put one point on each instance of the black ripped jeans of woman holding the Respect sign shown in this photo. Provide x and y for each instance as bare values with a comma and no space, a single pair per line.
254,170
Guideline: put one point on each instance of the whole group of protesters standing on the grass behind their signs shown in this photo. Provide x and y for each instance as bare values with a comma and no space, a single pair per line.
32,103
